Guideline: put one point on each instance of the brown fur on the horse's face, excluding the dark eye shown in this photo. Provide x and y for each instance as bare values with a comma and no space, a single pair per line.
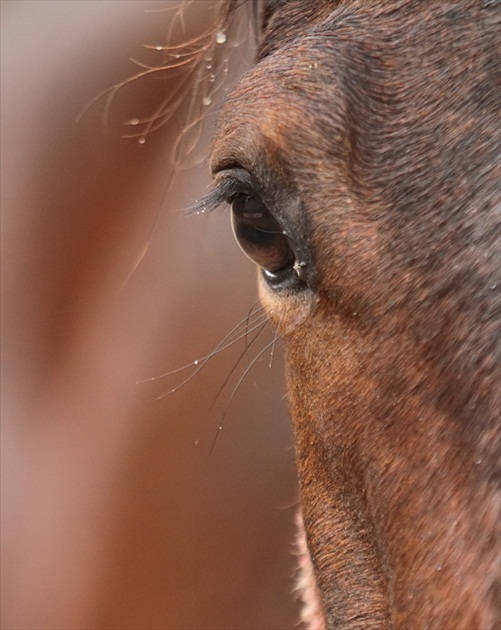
371,130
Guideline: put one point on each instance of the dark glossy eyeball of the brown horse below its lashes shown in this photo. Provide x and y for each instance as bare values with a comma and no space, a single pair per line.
260,236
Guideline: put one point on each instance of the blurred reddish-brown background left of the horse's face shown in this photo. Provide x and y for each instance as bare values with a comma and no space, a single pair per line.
114,513
